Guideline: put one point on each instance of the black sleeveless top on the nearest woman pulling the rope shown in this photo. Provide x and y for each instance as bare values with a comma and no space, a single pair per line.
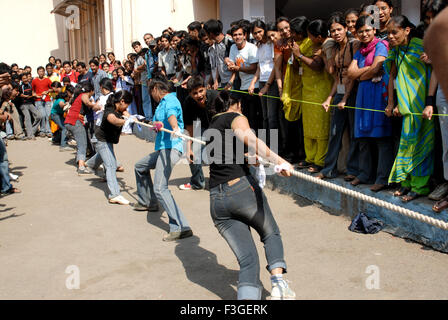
224,152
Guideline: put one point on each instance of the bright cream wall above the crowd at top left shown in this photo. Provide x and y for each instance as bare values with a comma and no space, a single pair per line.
32,35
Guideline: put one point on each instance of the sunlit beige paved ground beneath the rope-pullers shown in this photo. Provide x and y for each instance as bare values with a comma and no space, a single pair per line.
62,220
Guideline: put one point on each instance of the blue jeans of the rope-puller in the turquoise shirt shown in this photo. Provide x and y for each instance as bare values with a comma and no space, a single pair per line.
148,192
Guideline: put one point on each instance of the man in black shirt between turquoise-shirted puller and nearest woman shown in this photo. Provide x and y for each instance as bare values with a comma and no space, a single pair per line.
197,119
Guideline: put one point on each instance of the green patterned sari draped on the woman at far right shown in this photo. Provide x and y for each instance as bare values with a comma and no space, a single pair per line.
415,154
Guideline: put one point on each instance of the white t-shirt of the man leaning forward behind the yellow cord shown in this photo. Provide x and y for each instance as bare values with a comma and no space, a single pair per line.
245,56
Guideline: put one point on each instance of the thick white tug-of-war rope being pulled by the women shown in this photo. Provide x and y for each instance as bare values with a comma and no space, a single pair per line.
355,194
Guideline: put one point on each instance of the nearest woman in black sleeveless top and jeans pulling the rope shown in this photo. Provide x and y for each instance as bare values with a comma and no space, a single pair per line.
237,203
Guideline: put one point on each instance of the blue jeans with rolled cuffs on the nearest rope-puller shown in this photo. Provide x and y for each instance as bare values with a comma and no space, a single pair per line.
234,210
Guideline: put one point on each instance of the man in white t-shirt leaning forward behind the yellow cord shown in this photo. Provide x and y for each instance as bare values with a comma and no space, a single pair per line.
244,62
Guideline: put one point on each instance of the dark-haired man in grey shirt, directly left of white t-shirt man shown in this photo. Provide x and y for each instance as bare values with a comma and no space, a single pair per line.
218,53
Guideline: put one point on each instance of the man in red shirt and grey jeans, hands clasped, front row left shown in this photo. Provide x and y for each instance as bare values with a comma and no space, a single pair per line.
41,88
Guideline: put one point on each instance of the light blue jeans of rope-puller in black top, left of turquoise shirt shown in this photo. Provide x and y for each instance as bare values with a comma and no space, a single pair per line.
105,155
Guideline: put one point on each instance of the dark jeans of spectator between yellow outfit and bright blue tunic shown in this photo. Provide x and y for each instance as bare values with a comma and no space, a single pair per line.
339,121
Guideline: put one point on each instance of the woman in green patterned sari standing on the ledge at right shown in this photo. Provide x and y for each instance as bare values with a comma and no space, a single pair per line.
410,77
